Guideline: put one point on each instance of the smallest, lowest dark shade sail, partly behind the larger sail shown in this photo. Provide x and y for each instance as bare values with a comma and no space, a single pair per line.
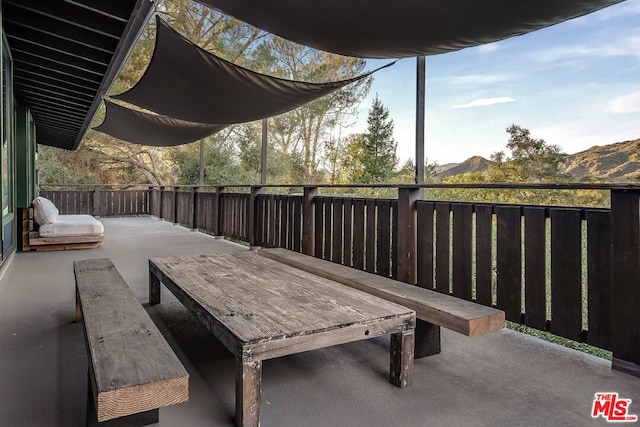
151,129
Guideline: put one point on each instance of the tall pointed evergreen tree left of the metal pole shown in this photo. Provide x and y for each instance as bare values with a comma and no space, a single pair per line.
376,152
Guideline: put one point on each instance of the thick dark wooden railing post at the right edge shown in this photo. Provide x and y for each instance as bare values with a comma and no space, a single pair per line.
625,280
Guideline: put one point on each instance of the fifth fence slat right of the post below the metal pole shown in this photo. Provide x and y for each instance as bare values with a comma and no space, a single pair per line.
509,261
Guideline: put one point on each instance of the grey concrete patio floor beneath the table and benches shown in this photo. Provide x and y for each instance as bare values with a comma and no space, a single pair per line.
501,379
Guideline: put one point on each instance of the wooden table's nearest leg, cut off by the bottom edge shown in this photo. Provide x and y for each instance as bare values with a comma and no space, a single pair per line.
248,393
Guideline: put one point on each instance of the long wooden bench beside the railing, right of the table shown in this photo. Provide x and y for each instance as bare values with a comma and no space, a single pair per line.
433,309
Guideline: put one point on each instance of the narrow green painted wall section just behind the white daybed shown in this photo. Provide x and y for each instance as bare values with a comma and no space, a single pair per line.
25,158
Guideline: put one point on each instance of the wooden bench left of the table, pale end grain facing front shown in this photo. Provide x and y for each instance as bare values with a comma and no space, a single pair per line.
132,369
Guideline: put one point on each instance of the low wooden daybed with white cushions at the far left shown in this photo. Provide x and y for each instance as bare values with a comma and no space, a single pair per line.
57,231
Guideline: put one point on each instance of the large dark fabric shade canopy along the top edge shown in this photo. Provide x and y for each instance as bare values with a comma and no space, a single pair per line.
402,28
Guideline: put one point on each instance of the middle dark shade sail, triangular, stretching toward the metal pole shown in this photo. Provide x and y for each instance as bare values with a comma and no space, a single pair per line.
188,83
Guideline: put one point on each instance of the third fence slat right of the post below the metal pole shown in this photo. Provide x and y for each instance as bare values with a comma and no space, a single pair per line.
462,249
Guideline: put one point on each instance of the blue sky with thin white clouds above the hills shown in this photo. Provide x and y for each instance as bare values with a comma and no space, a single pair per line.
576,85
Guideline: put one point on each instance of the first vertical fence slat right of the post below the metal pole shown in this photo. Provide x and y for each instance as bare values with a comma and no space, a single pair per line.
424,250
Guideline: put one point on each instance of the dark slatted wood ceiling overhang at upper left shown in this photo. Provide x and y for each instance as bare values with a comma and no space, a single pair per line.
66,54
